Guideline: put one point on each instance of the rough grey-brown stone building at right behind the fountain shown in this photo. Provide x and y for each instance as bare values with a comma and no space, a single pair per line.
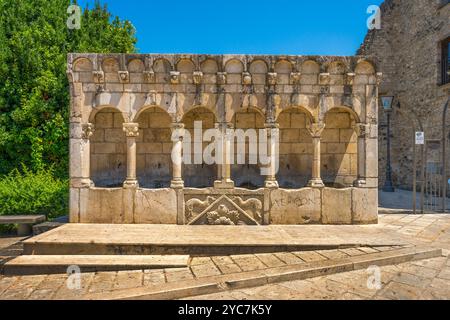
412,50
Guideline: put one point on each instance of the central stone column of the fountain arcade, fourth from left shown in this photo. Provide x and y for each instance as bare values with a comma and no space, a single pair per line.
224,167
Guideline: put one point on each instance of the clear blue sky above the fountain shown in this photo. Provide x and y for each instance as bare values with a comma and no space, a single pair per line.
325,27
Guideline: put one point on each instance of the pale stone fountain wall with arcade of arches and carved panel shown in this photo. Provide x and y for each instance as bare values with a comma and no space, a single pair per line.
125,107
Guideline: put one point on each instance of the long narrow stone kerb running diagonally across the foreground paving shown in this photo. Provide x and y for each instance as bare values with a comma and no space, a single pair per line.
214,284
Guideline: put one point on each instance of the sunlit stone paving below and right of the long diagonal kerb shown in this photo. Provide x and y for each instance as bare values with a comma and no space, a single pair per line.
426,279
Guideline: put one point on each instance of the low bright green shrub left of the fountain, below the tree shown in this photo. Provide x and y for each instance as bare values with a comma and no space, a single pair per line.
27,192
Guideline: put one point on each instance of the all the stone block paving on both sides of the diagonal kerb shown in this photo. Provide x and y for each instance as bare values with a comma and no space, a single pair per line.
427,279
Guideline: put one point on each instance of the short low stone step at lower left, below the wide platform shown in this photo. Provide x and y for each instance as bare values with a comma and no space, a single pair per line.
58,264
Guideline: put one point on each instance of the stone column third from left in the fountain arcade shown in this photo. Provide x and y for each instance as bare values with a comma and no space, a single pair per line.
177,156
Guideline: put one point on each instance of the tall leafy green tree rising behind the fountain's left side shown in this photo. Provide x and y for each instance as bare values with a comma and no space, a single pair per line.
34,90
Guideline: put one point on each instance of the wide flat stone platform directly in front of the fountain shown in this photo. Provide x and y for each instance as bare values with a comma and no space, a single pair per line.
104,239
